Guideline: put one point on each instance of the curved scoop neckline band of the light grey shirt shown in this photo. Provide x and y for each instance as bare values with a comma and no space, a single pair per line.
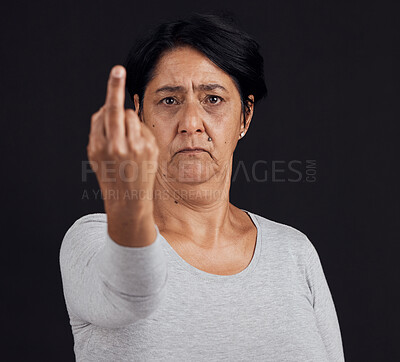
216,277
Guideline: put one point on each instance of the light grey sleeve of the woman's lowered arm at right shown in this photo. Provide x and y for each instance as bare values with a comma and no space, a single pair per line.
324,308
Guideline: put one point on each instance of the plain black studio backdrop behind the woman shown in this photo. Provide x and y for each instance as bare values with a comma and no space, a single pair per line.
320,153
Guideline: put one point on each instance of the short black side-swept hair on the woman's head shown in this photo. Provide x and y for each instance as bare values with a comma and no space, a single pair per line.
217,37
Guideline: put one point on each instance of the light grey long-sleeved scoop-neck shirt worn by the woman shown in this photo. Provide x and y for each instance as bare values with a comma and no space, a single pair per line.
148,304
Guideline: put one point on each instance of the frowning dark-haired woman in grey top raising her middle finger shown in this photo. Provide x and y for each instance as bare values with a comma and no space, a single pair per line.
173,271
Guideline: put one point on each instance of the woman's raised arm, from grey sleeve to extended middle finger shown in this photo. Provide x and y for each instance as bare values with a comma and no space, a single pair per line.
114,272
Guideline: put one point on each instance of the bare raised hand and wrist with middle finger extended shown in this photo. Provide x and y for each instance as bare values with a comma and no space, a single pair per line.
123,153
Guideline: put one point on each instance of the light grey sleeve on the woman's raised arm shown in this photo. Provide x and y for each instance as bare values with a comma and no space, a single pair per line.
107,284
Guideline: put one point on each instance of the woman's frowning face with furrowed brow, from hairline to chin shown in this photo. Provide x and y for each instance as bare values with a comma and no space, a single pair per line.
189,100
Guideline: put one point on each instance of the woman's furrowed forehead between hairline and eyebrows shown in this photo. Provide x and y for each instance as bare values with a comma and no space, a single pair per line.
186,66
